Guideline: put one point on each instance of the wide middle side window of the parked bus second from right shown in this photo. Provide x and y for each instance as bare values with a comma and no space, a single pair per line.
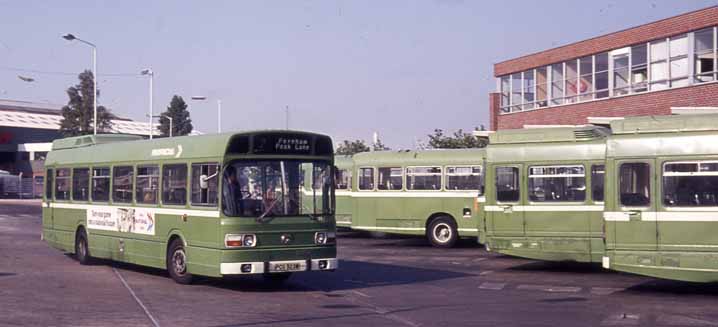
557,183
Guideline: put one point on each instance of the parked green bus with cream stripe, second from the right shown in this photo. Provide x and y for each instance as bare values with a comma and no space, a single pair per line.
545,195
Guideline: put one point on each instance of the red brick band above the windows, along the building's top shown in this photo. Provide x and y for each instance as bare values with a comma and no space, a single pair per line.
644,33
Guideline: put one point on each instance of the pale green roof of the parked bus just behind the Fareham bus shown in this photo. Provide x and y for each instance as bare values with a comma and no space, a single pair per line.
421,157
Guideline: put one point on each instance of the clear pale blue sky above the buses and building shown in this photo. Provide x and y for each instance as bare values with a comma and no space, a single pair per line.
346,68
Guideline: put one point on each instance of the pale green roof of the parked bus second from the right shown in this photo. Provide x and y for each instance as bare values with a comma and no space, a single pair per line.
552,134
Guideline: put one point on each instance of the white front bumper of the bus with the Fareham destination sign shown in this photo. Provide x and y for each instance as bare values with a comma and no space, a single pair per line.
246,268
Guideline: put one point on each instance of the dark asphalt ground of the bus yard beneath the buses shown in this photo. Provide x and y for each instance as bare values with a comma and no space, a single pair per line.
389,281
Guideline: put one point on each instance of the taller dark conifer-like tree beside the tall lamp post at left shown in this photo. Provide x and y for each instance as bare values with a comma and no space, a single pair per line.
78,114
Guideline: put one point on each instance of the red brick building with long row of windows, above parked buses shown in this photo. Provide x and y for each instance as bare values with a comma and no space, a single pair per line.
644,70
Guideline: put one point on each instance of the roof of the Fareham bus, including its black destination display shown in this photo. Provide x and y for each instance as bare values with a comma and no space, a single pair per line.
124,148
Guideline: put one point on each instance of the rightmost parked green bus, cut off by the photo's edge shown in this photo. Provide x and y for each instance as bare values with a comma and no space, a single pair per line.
662,197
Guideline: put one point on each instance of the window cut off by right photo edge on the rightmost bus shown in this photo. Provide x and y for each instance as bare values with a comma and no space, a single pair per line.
690,184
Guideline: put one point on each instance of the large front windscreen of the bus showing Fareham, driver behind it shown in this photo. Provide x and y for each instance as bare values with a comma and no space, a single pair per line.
273,188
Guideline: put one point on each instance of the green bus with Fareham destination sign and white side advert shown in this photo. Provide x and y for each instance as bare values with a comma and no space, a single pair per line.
213,205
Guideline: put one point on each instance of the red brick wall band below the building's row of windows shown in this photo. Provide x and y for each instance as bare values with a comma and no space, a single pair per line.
643,104
